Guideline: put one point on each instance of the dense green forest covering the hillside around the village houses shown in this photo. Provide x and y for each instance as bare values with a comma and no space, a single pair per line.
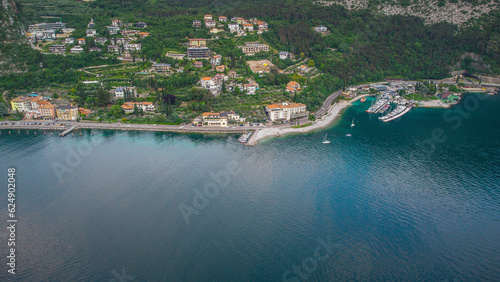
362,46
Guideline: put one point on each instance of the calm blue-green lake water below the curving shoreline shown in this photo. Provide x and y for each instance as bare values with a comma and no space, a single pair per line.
414,199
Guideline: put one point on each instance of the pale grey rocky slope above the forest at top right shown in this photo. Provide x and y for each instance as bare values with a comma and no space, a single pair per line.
432,11
